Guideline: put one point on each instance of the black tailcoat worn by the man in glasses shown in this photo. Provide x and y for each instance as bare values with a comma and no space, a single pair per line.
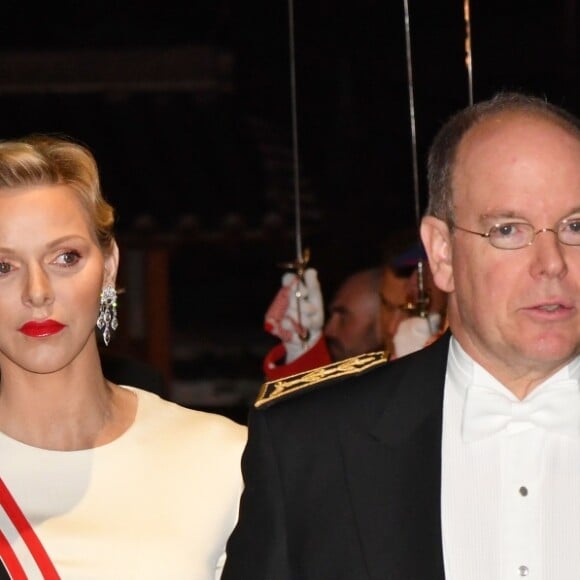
344,481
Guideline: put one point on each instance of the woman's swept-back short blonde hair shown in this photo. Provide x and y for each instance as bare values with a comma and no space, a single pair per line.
45,160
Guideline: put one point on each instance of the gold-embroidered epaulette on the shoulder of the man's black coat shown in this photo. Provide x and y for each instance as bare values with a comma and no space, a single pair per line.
273,391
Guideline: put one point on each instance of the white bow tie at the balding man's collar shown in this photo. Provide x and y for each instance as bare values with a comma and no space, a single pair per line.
486,411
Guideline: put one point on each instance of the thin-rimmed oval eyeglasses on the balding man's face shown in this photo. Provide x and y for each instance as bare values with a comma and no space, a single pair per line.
516,235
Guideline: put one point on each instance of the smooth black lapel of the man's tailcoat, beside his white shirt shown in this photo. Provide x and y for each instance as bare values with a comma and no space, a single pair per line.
393,469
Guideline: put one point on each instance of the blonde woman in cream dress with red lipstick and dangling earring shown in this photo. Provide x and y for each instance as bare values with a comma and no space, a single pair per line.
97,480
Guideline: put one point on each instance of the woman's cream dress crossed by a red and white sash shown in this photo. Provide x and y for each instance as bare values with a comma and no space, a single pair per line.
157,503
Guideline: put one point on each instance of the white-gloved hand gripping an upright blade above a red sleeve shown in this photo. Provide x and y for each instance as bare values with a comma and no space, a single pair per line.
296,315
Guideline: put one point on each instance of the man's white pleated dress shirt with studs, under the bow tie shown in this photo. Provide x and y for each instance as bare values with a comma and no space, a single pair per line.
510,501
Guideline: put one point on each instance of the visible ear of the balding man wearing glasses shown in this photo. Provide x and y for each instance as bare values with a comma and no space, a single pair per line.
436,239
